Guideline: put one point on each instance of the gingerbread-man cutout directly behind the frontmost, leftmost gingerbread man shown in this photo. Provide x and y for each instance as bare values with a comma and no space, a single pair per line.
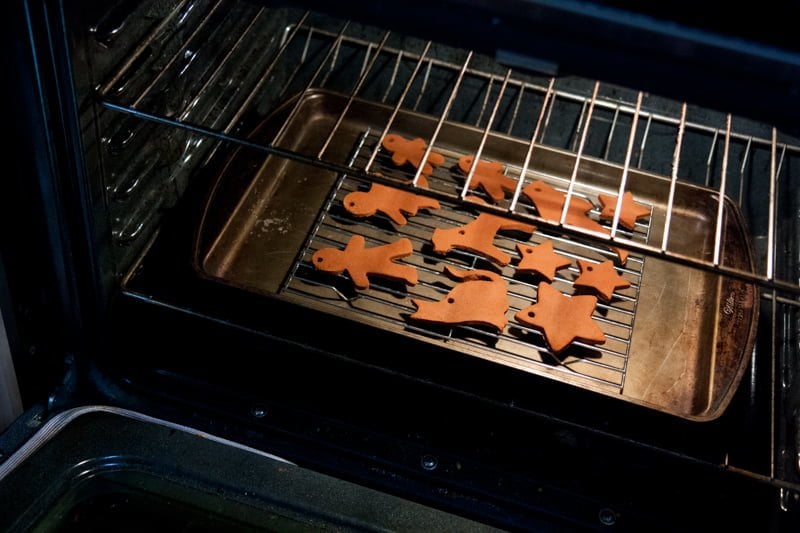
387,200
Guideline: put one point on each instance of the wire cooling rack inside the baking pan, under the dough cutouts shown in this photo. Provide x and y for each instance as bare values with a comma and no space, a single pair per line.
602,365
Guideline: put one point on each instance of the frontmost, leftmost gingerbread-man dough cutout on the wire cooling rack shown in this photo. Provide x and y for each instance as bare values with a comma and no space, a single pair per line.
361,262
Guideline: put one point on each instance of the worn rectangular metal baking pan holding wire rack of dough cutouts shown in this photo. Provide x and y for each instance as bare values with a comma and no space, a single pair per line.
678,339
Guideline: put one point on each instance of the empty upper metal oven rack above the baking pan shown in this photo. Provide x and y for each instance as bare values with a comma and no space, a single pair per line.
609,123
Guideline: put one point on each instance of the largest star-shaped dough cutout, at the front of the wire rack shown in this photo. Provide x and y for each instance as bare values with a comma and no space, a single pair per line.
562,319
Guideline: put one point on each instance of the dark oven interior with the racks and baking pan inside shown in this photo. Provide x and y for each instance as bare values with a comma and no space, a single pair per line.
218,140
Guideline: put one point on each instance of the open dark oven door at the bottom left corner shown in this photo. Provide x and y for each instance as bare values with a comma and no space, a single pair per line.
102,468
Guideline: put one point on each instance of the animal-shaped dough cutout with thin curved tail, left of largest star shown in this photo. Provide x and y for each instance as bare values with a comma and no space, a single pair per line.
480,299
